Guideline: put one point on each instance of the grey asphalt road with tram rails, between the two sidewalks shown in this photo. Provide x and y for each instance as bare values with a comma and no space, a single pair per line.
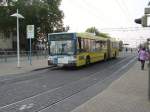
59,90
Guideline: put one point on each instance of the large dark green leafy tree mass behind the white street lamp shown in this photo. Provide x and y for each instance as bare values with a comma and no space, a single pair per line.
44,14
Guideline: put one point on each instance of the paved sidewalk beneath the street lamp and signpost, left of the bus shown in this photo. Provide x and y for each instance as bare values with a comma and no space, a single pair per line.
11,68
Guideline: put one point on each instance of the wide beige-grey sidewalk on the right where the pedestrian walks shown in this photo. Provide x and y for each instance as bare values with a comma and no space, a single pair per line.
127,94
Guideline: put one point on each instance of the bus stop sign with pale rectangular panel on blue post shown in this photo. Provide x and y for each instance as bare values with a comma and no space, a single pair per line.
30,35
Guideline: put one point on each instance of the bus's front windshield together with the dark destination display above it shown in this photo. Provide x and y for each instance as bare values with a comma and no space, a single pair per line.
62,44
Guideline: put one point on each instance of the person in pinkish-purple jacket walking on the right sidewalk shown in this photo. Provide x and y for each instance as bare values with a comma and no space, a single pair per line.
142,56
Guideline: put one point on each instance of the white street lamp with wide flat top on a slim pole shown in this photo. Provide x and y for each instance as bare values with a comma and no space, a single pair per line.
19,16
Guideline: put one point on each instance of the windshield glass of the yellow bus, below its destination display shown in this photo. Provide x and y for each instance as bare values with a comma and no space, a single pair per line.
63,47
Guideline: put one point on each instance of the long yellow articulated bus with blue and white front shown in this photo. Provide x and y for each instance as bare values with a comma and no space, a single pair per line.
78,49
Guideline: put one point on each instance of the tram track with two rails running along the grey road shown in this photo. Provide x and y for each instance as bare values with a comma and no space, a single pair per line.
89,80
